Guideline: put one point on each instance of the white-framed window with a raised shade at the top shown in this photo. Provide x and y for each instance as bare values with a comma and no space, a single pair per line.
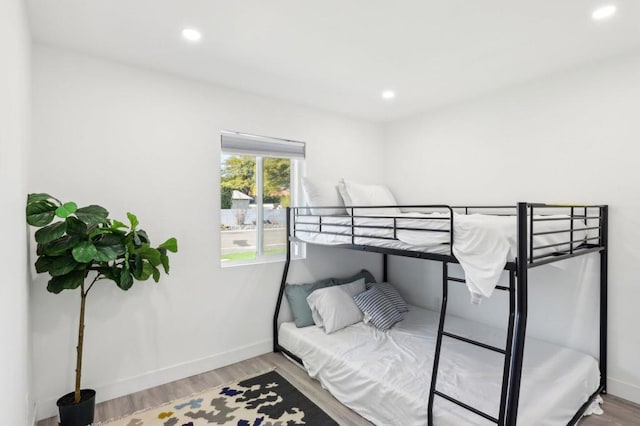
259,179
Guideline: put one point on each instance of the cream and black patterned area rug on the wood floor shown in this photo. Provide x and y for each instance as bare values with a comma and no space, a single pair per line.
264,400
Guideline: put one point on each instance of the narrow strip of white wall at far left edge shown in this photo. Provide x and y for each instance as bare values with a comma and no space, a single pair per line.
15,52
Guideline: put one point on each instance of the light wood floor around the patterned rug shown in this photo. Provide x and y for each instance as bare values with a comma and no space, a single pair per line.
617,411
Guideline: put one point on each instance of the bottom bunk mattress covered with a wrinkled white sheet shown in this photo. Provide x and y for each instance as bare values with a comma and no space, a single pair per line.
385,376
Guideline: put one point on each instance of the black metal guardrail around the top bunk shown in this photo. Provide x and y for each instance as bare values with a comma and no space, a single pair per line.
359,226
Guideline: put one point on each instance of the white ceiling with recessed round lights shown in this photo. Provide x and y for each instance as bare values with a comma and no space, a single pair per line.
339,55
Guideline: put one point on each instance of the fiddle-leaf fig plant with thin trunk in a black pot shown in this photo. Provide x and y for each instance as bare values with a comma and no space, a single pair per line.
78,247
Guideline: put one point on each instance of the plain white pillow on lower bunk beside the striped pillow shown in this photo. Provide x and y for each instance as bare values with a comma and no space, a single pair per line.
333,307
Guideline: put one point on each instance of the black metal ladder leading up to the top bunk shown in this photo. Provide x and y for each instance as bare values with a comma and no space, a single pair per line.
507,352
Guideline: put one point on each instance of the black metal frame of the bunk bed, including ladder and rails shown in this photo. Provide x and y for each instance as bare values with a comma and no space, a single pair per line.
595,223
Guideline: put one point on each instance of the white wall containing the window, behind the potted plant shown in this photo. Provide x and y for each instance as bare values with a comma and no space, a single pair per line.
140,141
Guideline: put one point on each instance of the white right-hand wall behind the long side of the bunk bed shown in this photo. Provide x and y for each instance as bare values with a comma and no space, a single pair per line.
570,138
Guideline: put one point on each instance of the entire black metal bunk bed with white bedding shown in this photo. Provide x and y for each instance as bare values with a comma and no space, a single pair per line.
520,237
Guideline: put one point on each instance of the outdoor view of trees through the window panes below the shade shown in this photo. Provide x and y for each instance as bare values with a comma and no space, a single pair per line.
255,192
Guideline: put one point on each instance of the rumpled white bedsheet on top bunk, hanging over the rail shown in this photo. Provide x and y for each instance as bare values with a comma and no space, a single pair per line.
482,243
